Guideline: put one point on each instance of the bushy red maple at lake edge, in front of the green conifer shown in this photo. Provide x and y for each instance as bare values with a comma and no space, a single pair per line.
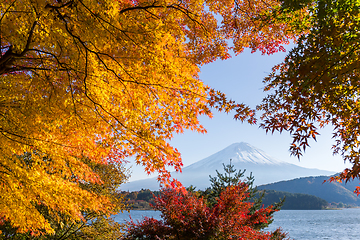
186,216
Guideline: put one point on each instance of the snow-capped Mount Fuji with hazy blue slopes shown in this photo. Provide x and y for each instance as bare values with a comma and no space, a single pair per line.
264,168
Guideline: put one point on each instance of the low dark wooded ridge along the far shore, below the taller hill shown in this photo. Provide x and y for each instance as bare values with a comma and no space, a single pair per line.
294,201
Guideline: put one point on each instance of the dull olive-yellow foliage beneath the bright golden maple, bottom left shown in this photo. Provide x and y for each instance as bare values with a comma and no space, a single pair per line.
95,225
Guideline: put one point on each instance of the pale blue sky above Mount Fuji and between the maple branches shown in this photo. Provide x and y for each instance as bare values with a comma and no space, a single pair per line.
240,78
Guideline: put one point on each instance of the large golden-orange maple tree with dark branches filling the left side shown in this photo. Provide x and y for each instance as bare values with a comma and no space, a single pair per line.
105,80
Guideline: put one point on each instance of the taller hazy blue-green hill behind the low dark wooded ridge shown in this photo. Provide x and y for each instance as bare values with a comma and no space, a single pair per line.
331,192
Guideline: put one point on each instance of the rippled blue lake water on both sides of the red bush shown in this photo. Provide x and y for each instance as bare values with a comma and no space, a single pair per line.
300,224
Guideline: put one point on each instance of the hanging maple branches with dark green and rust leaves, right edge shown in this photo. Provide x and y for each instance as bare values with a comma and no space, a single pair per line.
318,83
